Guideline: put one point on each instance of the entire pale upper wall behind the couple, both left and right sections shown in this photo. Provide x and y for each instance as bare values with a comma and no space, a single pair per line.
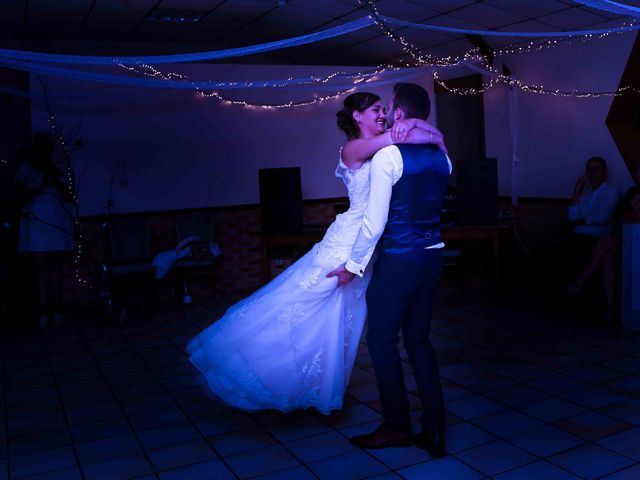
177,150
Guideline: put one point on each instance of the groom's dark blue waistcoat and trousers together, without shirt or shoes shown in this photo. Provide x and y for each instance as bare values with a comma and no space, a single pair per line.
400,295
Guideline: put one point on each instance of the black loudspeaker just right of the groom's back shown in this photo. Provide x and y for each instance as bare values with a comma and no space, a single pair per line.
477,192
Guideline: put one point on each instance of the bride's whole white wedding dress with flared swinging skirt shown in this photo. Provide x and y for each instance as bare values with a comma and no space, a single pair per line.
292,344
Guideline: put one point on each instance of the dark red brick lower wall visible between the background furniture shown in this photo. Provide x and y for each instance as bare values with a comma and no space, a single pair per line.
540,224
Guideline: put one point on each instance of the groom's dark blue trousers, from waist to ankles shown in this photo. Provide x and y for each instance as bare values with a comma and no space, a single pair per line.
400,297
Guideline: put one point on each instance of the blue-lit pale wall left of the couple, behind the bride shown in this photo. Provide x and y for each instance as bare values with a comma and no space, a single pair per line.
178,150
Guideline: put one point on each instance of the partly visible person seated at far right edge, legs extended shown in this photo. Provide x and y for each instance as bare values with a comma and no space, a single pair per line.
605,252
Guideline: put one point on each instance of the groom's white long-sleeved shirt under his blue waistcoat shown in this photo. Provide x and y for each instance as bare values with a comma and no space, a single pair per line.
385,171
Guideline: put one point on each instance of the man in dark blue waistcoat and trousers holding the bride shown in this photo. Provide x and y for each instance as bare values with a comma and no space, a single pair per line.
408,184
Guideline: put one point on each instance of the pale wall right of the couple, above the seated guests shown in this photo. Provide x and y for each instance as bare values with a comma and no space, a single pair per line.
556,134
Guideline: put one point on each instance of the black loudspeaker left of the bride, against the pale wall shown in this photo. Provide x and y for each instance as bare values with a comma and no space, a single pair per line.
280,199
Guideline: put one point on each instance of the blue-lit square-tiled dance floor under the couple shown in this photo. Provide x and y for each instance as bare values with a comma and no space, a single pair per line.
527,399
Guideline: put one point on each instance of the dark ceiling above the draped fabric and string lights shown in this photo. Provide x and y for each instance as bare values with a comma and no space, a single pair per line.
117,27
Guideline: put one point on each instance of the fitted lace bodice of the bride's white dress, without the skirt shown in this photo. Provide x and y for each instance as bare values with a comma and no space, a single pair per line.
341,235
